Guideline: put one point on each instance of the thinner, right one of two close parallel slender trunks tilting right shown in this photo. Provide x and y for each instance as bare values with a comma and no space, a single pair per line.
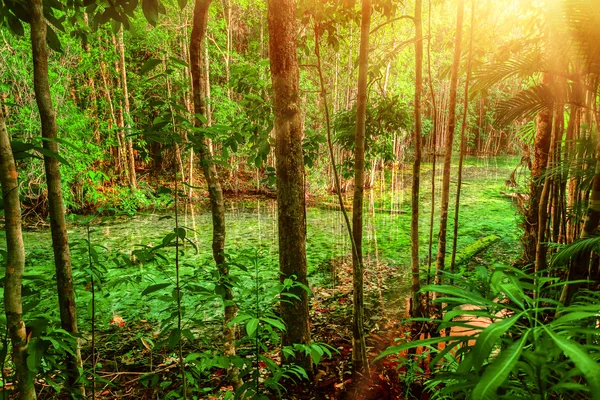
463,139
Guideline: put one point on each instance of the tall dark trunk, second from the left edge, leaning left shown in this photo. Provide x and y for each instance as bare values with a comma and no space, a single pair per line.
58,226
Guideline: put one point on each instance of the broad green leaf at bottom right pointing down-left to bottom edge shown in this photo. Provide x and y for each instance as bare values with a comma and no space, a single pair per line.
496,373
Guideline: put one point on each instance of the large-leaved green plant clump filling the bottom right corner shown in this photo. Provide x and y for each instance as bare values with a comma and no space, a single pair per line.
531,345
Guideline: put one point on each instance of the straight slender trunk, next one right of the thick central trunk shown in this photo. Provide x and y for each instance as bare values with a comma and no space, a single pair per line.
359,356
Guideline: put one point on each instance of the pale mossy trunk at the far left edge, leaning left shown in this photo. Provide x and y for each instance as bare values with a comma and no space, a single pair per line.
15,265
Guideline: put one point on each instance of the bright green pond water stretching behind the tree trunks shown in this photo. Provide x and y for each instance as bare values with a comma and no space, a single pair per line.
252,242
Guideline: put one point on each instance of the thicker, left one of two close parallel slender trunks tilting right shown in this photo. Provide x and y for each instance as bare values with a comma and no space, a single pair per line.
441,256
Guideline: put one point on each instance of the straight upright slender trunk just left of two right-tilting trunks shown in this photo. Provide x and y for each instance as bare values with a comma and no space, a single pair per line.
416,308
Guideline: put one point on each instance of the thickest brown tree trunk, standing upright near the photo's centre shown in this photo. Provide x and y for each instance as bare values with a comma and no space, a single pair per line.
290,171
